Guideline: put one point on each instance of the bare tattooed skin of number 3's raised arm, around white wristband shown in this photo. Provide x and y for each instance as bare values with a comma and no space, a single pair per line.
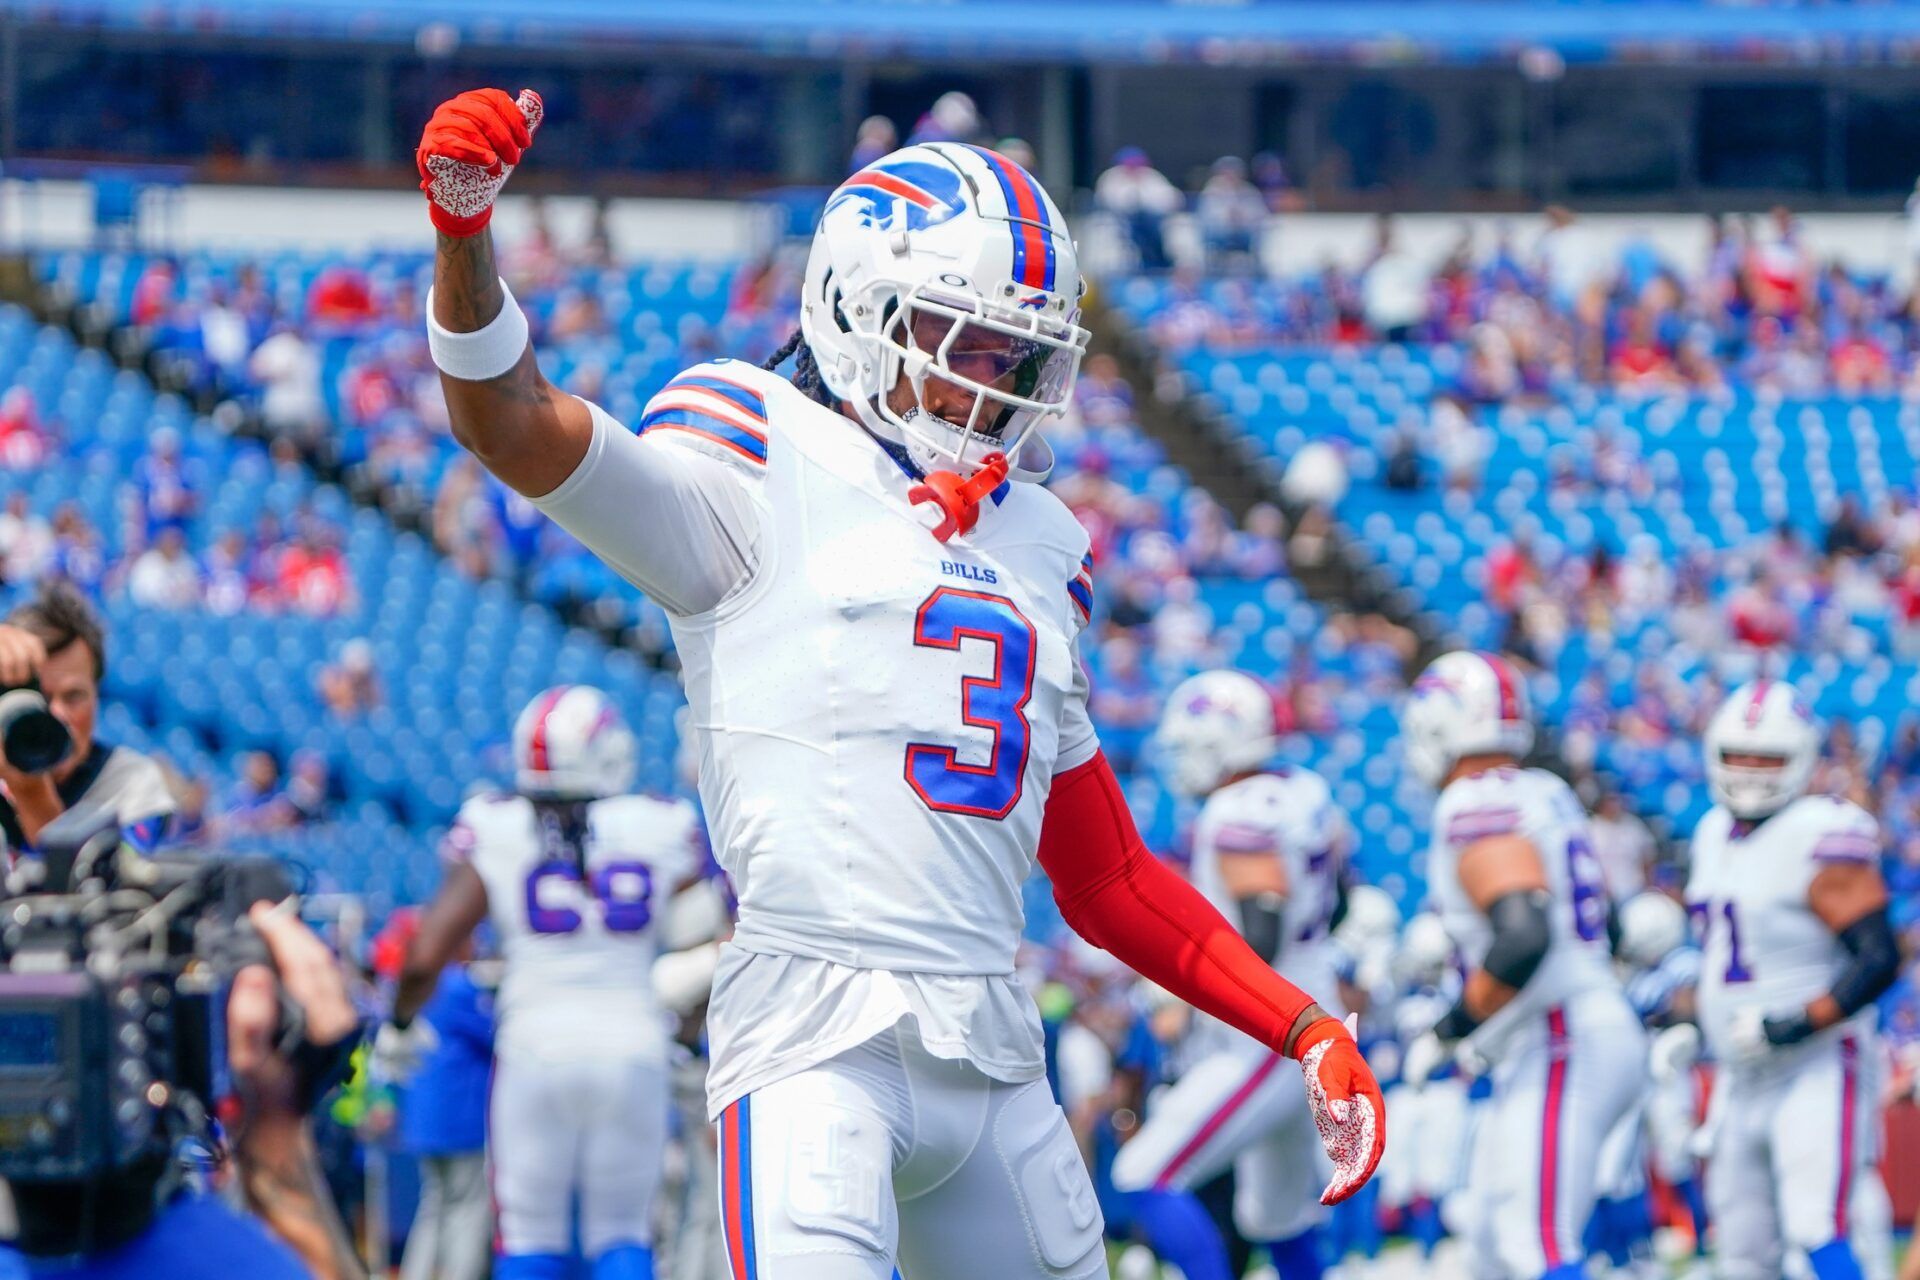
519,425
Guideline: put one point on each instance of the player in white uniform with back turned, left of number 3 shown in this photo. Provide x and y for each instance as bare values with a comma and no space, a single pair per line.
573,874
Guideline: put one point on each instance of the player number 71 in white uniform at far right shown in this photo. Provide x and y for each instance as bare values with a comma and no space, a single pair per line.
1788,899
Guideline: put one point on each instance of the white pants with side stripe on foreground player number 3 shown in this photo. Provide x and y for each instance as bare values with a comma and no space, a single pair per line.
888,1154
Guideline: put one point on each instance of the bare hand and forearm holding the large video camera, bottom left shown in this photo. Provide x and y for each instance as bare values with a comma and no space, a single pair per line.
277,1160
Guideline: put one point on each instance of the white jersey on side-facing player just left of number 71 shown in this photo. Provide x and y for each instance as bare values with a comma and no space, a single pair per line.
1541,807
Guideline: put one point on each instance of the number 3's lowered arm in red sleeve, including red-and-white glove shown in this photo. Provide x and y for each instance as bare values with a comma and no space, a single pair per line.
1116,895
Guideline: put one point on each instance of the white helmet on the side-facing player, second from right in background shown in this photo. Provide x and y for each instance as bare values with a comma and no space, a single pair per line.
1464,705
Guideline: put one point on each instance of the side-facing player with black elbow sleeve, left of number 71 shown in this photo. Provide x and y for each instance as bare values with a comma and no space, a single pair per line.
1516,884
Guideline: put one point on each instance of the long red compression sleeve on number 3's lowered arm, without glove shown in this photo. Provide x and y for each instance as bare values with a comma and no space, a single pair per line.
1122,899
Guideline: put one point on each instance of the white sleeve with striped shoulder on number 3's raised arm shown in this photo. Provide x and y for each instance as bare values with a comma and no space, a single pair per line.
673,510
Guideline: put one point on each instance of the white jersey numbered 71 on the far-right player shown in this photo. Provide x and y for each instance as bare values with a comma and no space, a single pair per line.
1748,897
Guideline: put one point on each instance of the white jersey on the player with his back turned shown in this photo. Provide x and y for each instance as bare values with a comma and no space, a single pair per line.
579,941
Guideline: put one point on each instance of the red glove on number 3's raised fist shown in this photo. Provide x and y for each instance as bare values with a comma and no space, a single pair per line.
469,149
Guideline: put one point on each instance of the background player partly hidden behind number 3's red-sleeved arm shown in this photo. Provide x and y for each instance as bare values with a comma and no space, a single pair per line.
1268,851
